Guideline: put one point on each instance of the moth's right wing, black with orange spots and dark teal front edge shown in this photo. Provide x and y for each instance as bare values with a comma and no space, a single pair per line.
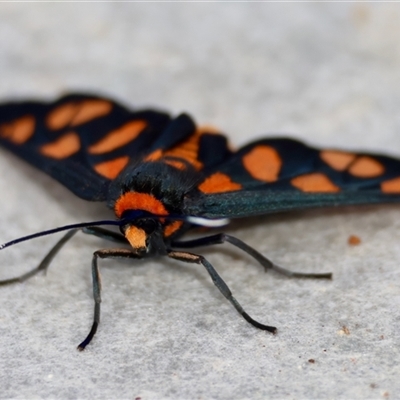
274,175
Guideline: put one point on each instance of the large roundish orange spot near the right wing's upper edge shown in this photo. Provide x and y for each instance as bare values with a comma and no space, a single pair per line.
263,163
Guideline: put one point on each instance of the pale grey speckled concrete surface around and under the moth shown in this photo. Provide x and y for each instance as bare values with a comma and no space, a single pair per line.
328,74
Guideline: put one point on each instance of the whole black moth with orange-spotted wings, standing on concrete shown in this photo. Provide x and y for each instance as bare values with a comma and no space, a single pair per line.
163,176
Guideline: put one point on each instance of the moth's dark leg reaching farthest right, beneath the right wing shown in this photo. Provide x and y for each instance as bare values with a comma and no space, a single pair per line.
265,262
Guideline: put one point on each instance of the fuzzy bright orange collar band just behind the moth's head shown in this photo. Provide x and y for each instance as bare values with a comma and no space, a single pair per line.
139,201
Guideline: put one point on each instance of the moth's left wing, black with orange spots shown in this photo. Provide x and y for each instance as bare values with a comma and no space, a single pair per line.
85,141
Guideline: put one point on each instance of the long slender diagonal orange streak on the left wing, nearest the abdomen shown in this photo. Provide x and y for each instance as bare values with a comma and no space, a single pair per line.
118,138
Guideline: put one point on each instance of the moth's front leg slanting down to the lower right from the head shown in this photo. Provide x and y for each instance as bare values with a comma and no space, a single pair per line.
220,284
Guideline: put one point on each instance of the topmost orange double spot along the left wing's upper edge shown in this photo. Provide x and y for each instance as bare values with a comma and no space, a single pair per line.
76,113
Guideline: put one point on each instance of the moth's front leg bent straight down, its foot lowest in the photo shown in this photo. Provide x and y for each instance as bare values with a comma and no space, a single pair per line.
107,253
